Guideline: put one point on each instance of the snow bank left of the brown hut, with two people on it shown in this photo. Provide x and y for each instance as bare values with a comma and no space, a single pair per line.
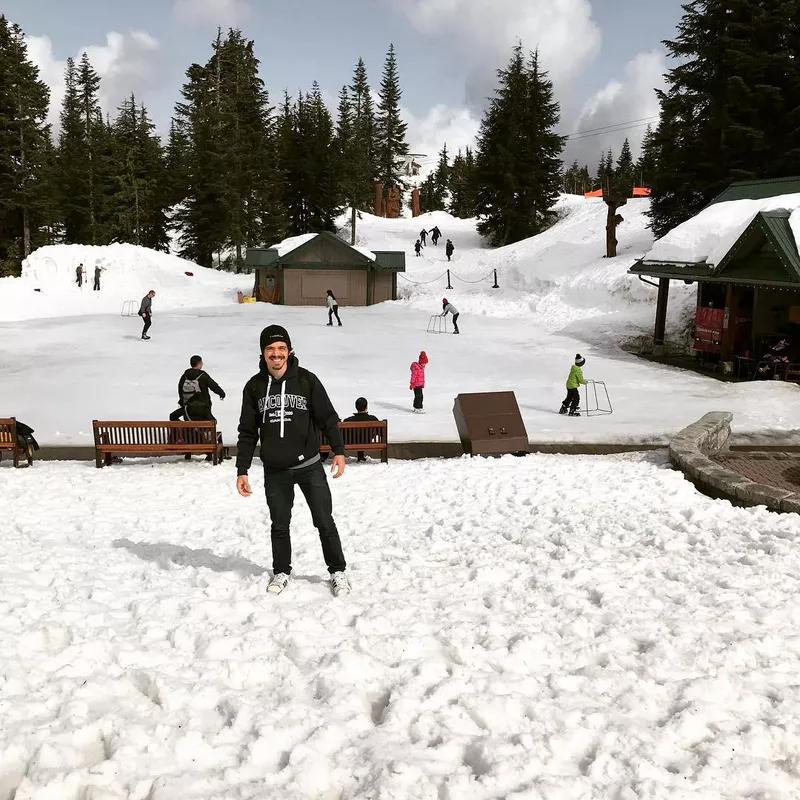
47,287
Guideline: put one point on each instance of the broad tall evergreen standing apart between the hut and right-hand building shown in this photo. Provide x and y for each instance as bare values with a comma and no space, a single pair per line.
518,169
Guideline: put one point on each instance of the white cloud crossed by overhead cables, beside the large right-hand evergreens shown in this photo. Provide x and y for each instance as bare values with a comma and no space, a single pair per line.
631,98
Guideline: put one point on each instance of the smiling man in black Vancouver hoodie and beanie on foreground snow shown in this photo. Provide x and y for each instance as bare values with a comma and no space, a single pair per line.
284,405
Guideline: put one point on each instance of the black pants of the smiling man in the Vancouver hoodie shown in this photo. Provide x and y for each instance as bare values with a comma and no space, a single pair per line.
279,489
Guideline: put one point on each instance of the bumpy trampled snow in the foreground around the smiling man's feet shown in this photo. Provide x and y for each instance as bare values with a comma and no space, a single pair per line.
545,627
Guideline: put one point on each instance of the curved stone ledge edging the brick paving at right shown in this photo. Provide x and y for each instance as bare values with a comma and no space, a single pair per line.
692,450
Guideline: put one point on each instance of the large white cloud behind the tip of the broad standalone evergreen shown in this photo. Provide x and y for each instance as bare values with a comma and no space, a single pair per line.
480,35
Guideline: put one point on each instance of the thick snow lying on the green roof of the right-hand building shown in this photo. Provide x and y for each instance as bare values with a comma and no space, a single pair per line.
709,235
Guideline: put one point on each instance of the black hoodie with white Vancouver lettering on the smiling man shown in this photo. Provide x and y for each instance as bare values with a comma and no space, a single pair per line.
285,413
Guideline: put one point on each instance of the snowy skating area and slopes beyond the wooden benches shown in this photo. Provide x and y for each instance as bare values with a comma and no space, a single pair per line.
76,359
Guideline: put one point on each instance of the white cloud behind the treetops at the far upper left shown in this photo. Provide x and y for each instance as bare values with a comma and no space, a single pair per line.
126,63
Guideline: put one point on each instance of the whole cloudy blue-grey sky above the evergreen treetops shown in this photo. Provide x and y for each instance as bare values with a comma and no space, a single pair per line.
605,56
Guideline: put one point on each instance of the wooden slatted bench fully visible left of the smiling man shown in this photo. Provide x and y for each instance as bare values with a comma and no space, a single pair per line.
155,439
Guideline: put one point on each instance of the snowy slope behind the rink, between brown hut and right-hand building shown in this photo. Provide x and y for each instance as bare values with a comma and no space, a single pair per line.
558,278
